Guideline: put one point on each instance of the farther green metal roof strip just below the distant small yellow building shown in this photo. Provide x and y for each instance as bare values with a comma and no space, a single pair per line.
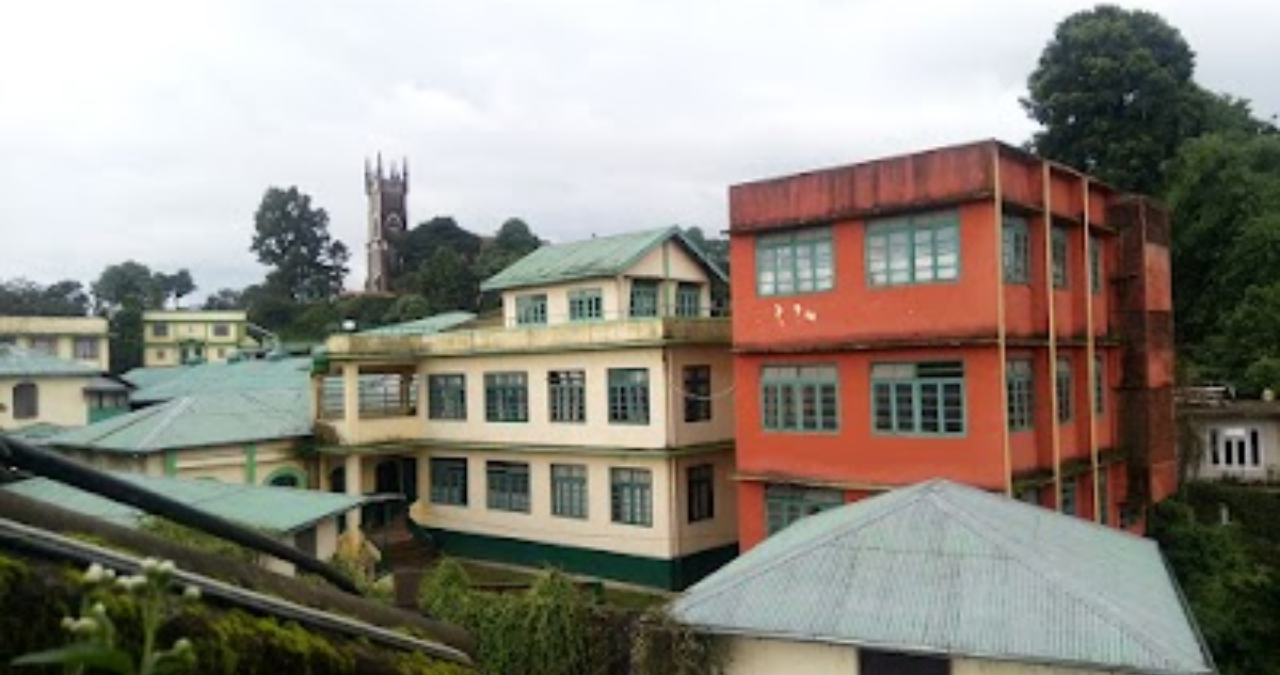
264,375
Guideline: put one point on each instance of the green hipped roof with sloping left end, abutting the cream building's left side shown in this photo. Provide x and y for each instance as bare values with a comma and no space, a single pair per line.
202,421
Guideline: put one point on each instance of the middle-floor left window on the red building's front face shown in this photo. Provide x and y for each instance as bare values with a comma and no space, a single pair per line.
801,399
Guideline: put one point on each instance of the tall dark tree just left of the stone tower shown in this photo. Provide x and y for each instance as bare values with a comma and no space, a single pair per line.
292,238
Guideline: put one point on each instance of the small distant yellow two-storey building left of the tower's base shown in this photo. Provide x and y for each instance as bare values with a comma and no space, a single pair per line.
179,337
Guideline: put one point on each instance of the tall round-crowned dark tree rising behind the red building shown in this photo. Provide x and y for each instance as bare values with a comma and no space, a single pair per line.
1114,97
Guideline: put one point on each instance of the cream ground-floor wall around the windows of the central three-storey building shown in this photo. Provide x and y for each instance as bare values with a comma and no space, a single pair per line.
669,537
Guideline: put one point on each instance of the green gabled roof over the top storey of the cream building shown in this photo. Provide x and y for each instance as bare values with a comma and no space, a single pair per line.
588,259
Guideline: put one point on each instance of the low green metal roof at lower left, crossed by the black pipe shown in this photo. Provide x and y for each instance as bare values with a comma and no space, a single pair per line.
278,510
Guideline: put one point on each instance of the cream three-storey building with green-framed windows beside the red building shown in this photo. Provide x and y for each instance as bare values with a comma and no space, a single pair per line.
588,427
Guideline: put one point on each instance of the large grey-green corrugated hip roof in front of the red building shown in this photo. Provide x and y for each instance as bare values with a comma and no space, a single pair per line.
948,569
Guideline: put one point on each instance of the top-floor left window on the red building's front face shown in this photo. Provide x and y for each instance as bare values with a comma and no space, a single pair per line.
794,263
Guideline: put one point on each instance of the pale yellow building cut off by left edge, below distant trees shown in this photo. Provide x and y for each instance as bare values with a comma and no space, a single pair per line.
76,339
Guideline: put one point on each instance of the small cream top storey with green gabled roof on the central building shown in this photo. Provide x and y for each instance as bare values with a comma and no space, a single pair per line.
636,276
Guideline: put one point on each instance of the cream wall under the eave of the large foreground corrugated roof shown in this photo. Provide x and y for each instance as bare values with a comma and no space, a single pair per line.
760,656
